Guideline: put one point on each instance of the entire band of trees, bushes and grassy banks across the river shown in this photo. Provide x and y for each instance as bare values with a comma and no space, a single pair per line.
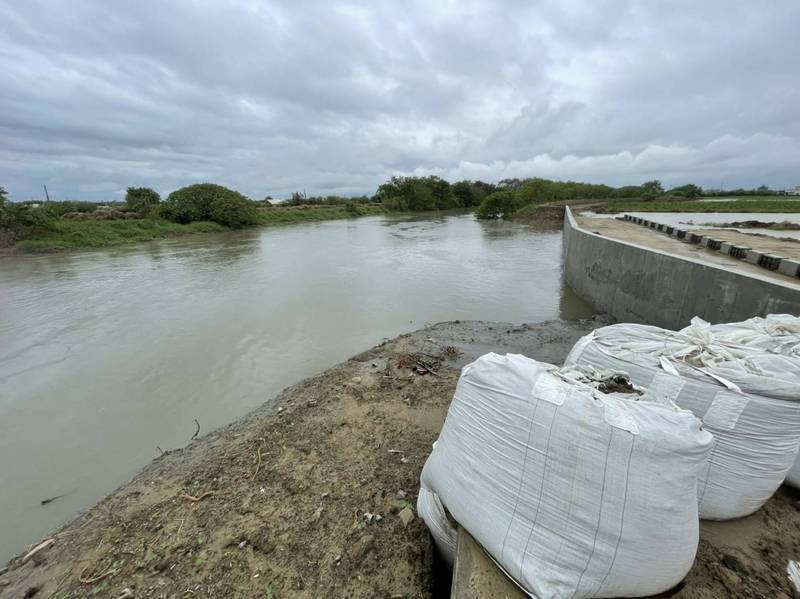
207,207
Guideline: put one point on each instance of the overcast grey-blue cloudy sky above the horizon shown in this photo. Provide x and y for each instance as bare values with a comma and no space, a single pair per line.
334,97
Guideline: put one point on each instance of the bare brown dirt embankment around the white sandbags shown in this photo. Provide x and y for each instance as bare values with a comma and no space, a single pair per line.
310,496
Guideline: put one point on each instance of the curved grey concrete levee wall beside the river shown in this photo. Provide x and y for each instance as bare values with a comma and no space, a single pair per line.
633,283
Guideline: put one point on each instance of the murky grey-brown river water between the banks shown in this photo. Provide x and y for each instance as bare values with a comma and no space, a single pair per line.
105,355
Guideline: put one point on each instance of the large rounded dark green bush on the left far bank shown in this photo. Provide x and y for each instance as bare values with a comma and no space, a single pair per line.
207,201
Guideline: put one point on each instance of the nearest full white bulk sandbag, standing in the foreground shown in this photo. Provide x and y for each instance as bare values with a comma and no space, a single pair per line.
573,491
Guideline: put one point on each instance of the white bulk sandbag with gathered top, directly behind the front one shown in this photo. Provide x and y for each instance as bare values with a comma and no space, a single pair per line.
747,398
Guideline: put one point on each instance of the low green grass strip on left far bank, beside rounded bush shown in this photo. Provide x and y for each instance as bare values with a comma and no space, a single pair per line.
74,234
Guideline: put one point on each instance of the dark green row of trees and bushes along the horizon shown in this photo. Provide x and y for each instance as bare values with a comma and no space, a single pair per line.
211,202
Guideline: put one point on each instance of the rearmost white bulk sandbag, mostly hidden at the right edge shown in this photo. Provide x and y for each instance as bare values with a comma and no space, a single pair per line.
776,333
